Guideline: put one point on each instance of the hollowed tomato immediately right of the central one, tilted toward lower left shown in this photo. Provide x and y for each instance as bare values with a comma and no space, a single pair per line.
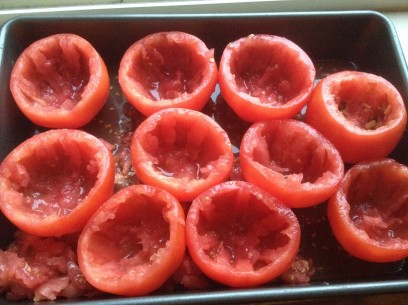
292,161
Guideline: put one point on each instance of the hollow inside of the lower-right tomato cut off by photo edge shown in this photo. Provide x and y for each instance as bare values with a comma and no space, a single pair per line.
378,203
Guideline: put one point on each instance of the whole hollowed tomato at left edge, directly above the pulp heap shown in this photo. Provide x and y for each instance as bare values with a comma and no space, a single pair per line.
53,182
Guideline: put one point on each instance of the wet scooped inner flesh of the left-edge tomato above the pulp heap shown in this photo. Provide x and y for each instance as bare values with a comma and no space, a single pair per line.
68,178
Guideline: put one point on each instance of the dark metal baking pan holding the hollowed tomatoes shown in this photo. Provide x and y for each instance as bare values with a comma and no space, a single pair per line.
362,40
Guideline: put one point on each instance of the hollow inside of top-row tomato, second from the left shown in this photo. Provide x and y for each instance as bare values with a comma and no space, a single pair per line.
166,68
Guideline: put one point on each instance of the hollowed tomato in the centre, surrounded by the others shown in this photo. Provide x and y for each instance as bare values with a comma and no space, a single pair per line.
181,151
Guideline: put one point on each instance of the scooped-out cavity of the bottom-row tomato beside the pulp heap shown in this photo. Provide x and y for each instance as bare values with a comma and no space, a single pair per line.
130,238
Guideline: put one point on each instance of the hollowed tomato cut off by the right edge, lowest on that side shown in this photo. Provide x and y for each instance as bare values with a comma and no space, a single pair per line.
368,214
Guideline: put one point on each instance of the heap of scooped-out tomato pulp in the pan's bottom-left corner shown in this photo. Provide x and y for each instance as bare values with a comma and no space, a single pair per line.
42,268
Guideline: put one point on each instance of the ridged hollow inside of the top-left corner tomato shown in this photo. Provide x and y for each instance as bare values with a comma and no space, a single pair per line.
56,76
